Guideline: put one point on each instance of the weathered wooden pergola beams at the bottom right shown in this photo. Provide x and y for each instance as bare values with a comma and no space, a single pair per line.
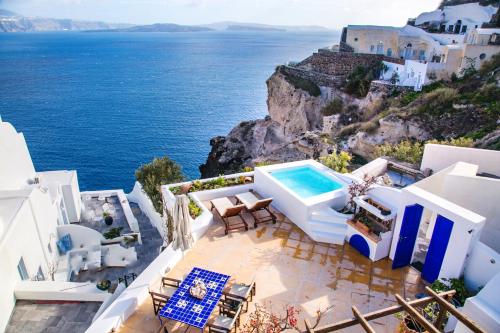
443,299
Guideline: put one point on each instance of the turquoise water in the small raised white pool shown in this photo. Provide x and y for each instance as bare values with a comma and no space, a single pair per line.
306,181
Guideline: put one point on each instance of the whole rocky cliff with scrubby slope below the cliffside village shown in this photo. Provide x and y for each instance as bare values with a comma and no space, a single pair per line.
311,114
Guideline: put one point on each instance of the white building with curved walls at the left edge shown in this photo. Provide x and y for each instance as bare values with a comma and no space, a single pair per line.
36,209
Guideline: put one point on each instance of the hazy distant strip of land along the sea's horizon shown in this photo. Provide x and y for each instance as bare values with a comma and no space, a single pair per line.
13,22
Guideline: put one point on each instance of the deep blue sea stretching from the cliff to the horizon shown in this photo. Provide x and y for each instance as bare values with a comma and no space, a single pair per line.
105,103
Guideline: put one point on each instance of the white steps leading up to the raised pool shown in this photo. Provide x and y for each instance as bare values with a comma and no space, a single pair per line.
328,226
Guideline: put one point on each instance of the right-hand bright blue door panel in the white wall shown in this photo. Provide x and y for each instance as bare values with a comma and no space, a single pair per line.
437,249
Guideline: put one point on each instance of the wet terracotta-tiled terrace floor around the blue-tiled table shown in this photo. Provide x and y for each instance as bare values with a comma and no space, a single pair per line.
290,268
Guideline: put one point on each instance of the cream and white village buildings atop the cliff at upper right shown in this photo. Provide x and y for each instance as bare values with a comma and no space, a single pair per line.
435,45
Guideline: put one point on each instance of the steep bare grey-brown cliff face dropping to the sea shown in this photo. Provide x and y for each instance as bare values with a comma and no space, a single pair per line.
290,132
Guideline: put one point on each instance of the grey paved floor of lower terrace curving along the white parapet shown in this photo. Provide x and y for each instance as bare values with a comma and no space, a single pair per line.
146,253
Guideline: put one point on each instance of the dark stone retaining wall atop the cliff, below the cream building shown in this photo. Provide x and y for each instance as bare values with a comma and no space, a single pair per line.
341,63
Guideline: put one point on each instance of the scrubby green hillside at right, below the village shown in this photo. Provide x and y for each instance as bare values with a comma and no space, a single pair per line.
464,110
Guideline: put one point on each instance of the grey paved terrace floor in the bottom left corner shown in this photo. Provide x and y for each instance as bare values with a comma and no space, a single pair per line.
36,317
